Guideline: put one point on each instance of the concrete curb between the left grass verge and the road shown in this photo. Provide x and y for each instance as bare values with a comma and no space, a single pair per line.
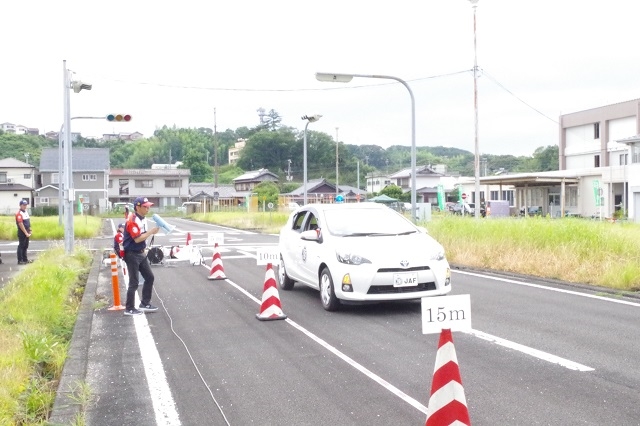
66,408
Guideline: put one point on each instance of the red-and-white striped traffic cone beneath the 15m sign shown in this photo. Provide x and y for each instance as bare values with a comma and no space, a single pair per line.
447,404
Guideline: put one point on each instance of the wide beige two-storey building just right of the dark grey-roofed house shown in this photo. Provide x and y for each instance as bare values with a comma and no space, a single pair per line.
165,187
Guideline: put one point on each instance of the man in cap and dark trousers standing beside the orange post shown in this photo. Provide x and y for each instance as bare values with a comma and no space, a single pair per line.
136,232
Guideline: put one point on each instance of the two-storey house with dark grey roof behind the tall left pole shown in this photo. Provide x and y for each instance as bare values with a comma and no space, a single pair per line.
90,173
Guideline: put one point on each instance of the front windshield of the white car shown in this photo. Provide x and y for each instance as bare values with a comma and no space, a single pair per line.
366,222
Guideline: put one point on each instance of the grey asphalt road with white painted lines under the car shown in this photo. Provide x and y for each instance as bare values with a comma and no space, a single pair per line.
539,353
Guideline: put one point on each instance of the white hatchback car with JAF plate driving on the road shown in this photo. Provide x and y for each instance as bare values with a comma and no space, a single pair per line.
360,252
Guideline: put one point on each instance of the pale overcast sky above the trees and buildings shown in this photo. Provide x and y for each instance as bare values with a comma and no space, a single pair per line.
171,63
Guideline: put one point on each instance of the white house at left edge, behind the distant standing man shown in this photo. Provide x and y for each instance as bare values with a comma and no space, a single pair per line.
16,184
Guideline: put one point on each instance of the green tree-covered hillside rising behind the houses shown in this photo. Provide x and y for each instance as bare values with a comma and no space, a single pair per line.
279,149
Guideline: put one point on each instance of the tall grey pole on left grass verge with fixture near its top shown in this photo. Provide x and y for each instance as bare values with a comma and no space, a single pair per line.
69,193
